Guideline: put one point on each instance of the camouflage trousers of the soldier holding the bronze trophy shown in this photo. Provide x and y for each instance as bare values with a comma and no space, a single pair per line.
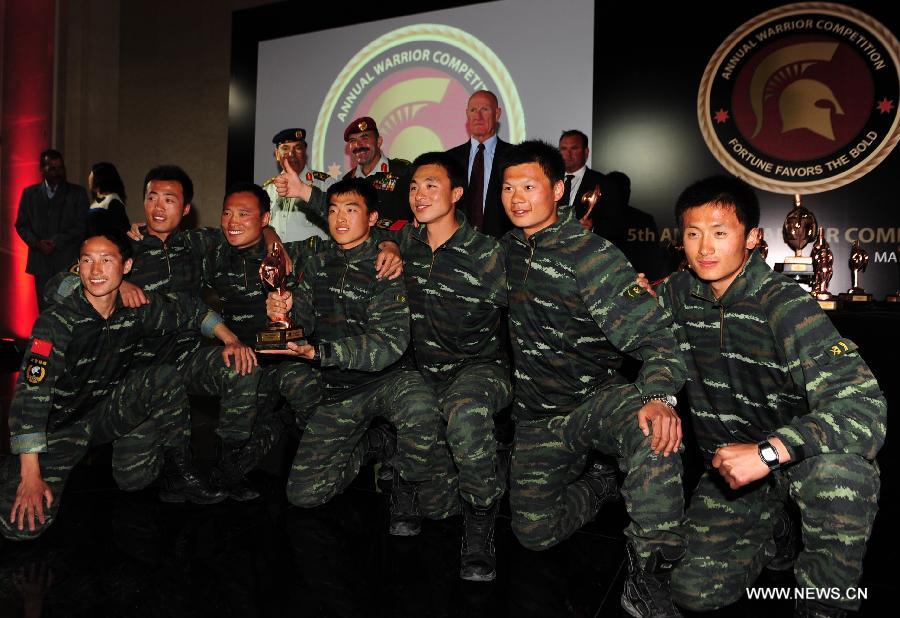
331,449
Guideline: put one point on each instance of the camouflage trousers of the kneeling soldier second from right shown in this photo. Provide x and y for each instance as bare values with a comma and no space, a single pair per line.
549,501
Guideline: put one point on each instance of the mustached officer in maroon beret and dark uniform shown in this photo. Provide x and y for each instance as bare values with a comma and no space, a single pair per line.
390,177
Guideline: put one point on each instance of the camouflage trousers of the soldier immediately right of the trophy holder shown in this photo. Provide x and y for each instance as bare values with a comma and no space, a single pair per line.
468,403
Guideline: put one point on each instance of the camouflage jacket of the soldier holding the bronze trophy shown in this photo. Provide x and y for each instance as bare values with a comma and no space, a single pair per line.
360,323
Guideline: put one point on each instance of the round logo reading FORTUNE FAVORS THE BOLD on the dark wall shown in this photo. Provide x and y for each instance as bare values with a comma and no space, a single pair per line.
803,98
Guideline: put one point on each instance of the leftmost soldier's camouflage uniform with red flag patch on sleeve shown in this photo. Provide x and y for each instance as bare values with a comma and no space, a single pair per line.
79,387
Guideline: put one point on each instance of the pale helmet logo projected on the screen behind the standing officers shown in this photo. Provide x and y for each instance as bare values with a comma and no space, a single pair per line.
415,82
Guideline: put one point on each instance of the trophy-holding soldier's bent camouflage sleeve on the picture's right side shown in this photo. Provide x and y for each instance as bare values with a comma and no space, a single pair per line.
386,336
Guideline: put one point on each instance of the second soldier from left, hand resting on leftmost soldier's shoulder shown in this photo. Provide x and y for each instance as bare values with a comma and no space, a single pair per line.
169,260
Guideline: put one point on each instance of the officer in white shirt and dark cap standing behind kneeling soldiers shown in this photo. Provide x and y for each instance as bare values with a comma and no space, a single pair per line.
288,219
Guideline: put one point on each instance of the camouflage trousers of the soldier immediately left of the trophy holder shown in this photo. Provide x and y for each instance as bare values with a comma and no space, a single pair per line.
301,386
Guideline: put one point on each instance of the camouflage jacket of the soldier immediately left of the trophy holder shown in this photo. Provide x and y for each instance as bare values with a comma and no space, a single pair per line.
234,275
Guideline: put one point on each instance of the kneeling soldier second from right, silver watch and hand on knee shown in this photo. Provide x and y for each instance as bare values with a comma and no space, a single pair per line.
573,306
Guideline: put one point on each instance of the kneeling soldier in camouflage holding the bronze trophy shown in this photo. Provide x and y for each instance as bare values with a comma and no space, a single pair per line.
358,326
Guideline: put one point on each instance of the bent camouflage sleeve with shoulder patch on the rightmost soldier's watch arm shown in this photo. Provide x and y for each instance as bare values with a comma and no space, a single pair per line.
847,410
